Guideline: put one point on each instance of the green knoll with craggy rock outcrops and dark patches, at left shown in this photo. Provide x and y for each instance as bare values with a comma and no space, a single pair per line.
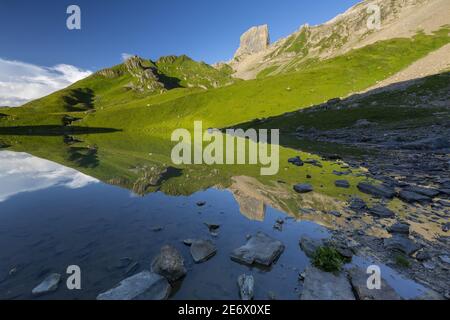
133,80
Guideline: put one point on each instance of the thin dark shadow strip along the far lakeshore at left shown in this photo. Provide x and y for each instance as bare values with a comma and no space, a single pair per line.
49,130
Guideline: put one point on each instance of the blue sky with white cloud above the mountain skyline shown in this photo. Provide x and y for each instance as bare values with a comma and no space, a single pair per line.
39,55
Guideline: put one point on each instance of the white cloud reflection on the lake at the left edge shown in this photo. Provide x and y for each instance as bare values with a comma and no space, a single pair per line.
22,172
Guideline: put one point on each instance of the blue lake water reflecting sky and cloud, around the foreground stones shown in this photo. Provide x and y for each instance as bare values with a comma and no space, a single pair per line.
53,216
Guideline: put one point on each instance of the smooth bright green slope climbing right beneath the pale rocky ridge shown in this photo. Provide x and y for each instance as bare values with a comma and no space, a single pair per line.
261,98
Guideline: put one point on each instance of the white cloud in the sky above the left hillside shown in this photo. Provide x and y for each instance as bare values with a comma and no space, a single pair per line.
21,82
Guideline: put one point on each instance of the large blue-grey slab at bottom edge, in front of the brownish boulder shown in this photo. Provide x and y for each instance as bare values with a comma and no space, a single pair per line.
142,286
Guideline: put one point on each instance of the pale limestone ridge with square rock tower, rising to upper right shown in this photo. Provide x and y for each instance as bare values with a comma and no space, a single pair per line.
347,31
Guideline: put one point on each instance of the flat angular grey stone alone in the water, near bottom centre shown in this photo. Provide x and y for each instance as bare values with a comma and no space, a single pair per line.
259,249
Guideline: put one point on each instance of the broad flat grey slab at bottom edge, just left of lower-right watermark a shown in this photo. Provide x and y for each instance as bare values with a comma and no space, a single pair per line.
321,285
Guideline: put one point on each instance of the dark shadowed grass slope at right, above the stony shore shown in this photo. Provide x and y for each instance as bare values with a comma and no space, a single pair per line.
390,104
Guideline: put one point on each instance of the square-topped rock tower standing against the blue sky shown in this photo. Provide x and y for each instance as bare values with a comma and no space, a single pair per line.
254,40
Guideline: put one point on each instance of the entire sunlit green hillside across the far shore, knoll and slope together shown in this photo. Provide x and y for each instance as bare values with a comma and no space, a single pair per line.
107,100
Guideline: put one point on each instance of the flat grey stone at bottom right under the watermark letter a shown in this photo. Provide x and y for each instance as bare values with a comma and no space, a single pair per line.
358,279
